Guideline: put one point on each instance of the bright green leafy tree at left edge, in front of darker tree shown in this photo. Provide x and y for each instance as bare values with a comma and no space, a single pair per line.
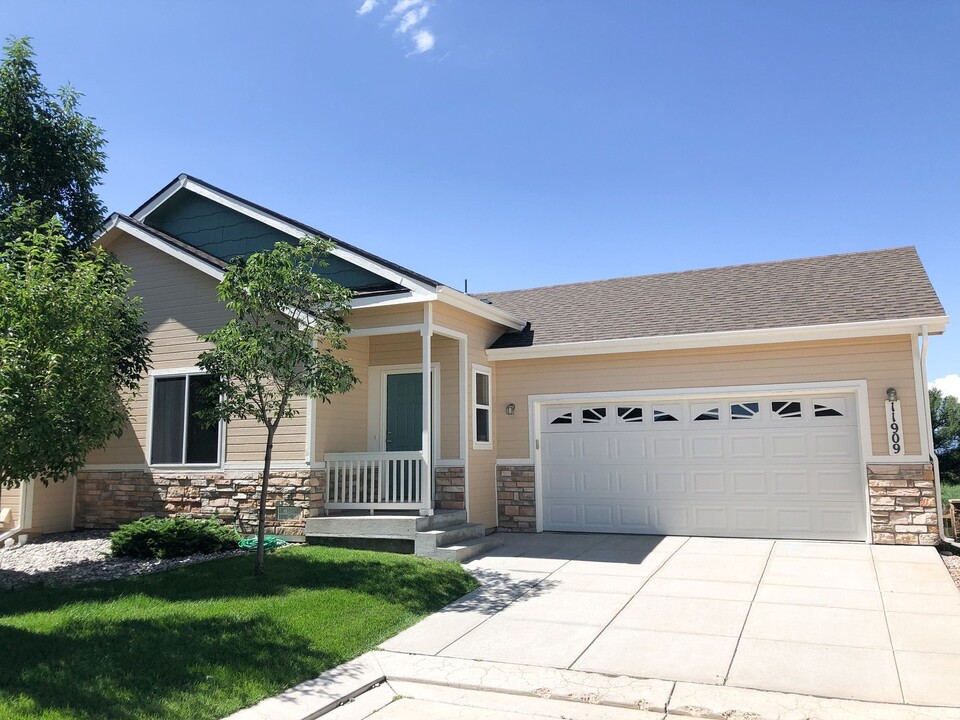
72,351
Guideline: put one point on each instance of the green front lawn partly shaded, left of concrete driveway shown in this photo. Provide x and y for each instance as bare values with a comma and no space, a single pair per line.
206,640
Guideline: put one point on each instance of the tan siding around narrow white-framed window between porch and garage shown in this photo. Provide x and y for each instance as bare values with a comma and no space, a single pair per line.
482,463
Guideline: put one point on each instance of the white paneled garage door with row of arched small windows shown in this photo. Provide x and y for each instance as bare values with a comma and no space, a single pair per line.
764,466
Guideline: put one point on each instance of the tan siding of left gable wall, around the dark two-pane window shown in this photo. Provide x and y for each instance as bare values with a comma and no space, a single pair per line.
179,304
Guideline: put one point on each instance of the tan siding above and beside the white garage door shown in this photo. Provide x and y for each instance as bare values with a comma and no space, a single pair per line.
883,362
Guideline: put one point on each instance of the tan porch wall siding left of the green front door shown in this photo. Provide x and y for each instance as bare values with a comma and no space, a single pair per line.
341,424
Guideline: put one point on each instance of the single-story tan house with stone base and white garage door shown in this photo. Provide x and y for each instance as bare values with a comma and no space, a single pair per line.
782,400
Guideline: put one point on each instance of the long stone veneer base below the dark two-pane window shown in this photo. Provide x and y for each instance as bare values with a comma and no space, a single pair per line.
109,499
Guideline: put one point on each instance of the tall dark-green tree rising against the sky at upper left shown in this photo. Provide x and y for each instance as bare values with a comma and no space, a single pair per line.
51,156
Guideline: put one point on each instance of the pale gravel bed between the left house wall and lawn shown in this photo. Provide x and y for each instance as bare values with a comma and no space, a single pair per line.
79,557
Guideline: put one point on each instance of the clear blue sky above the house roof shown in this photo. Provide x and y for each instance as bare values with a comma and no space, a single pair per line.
524,143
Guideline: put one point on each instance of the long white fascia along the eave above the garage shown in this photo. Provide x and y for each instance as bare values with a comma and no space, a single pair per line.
909,326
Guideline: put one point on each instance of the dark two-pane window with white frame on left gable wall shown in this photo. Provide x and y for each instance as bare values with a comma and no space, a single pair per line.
178,436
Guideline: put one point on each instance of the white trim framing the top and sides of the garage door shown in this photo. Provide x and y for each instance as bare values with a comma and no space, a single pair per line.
859,387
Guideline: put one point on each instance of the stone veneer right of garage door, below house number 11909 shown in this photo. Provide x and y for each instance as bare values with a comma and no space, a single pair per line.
903,504
